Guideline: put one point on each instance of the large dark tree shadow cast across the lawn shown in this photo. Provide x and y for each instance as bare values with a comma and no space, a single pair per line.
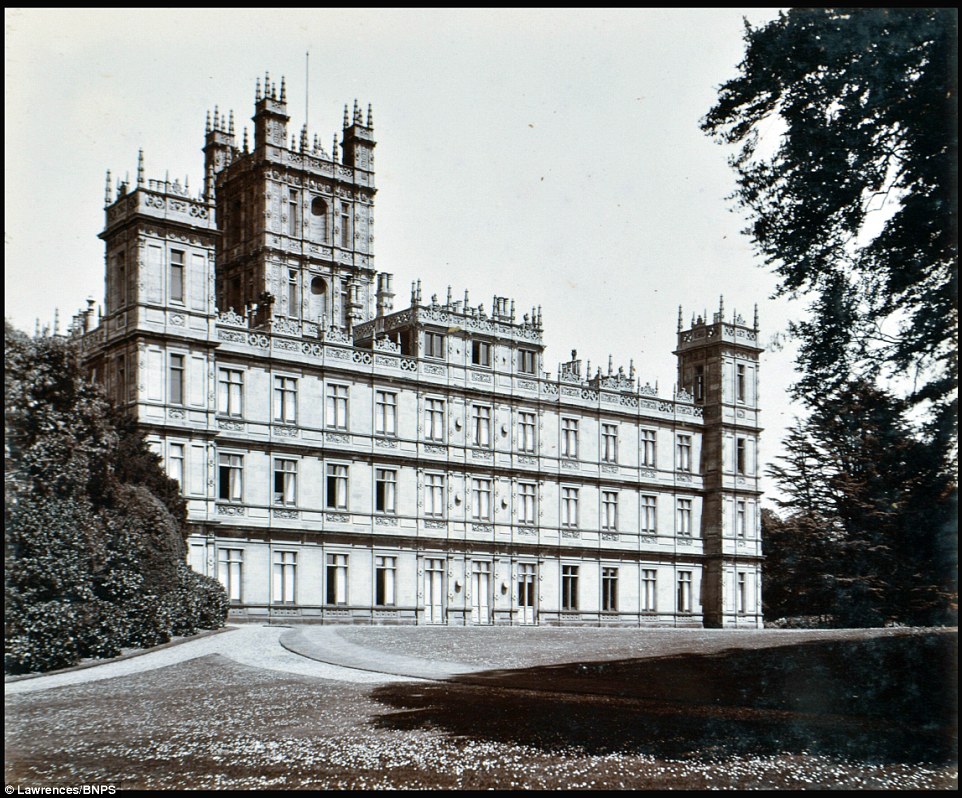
889,699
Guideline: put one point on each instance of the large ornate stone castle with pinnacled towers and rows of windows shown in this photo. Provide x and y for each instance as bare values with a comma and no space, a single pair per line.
344,461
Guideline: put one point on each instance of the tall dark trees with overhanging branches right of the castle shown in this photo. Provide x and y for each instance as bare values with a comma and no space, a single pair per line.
846,126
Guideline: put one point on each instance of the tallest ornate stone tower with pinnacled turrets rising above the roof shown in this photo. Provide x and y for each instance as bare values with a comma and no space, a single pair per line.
296,220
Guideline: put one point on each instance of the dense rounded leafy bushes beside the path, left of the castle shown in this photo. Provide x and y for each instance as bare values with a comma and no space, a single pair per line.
95,531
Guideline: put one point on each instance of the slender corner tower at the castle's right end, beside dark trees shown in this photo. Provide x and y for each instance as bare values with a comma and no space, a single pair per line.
718,365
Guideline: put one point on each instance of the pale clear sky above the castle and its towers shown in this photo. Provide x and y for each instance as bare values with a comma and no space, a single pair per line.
552,156
